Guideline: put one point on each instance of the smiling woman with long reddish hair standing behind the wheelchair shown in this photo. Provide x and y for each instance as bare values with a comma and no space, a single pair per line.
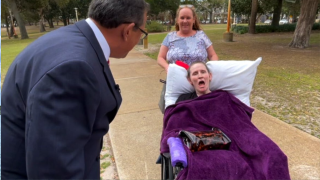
188,43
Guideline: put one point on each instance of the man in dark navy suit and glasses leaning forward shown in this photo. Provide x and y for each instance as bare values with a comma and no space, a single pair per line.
59,95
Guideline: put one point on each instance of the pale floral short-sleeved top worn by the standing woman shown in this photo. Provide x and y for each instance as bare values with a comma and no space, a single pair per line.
187,49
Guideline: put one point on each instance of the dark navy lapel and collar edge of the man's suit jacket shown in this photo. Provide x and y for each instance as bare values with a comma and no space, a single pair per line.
87,31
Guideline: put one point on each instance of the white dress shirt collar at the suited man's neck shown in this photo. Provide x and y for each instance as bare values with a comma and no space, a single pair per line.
102,41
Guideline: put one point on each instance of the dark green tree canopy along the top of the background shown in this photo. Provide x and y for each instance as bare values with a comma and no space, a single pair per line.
37,11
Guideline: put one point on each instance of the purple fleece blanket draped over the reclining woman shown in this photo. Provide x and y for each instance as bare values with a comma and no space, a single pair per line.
252,155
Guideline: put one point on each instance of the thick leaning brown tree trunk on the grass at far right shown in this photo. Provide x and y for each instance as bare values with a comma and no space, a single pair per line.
306,20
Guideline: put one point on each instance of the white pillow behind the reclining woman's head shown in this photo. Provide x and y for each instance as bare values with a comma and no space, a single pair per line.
236,77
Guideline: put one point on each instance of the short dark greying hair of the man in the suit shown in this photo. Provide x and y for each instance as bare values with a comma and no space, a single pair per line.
112,13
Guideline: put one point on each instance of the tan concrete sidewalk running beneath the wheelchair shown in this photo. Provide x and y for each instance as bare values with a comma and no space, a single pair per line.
136,131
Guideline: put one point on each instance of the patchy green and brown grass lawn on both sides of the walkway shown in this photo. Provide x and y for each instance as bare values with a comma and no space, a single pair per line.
287,84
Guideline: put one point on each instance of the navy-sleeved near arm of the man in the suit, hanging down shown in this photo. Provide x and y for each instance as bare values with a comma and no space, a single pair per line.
60,115
